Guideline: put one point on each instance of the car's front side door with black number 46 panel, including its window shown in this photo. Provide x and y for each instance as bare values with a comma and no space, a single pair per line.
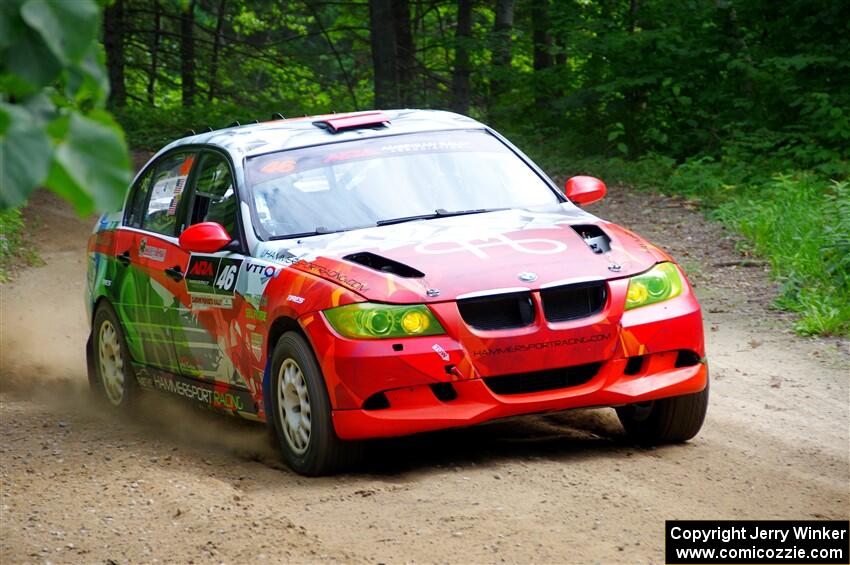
209,341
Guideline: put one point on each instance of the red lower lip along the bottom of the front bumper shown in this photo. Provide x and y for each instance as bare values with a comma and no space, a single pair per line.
416,409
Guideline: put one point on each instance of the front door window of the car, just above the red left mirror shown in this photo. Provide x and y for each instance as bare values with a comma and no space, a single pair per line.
215,196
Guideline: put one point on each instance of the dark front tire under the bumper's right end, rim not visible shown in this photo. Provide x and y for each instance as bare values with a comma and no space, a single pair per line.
668,420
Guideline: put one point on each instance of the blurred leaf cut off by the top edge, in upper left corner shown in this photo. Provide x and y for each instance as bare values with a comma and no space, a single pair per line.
68,28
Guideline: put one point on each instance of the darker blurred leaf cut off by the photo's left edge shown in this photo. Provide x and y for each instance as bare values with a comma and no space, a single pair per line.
24,155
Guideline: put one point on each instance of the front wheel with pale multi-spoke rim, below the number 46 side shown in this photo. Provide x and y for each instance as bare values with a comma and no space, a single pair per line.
301,412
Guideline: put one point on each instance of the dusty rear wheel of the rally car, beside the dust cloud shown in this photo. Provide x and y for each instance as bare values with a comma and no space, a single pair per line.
113,378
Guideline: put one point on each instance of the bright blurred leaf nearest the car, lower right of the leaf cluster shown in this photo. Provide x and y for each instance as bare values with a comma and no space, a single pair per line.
91,166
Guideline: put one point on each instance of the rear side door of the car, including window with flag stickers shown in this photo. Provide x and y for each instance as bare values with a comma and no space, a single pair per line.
150,290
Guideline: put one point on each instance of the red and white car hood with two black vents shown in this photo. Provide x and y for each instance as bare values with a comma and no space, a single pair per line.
454,257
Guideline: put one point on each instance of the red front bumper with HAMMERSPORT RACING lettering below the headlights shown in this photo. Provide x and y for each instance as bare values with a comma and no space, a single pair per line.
403,373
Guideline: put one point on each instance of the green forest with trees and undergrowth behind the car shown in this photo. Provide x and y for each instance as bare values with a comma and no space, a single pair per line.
743,107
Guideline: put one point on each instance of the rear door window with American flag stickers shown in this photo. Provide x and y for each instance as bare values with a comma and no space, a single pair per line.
169,180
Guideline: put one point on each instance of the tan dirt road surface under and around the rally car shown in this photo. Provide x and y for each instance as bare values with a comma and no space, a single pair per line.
181,485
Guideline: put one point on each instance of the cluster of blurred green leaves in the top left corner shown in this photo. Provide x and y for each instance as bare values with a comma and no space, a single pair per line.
52,83
